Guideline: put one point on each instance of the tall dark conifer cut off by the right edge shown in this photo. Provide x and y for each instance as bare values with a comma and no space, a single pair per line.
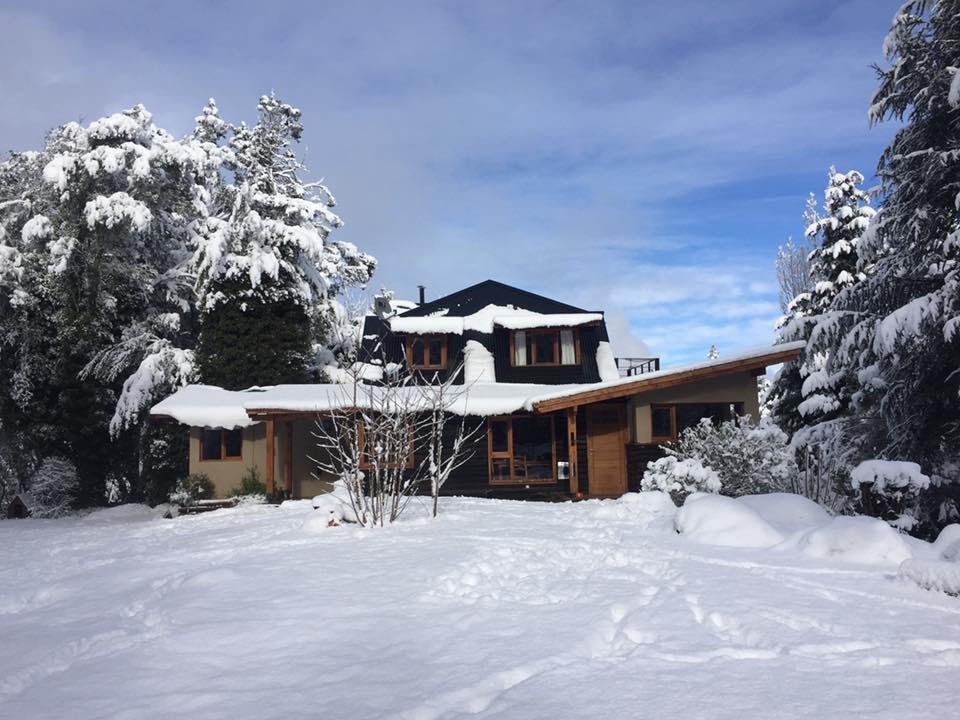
902,340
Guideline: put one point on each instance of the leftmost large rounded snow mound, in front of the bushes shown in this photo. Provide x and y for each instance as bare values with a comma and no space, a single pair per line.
719,520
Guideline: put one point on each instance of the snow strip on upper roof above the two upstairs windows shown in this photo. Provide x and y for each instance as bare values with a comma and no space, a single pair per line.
507,316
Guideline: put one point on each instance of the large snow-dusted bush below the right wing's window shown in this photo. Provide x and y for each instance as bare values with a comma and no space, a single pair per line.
747,458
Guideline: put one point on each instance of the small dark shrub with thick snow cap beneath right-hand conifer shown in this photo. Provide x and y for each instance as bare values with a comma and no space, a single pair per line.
890,489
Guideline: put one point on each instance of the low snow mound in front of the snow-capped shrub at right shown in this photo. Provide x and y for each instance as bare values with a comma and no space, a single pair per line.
857,539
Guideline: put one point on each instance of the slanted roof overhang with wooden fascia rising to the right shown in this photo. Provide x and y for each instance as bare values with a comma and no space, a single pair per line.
626,387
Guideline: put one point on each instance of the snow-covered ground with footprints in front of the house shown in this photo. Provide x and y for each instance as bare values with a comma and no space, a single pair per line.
498,609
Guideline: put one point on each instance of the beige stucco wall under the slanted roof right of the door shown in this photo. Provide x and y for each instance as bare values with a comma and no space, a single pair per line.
738,388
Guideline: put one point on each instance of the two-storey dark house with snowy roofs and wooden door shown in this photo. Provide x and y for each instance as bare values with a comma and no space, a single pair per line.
561,416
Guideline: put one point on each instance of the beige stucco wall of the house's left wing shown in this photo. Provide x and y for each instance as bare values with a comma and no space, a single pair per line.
226,474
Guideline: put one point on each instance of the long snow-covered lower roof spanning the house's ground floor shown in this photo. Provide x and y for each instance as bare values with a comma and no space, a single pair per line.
208,406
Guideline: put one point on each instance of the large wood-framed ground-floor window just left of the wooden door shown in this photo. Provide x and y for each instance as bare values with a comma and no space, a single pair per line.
524,450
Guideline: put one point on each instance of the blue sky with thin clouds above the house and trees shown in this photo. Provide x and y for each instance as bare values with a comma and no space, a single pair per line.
644,158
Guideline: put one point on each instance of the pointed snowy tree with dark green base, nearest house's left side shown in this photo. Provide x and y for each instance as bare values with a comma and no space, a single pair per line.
269,273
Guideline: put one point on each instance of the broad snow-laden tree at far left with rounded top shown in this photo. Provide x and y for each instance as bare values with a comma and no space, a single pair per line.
102,253
